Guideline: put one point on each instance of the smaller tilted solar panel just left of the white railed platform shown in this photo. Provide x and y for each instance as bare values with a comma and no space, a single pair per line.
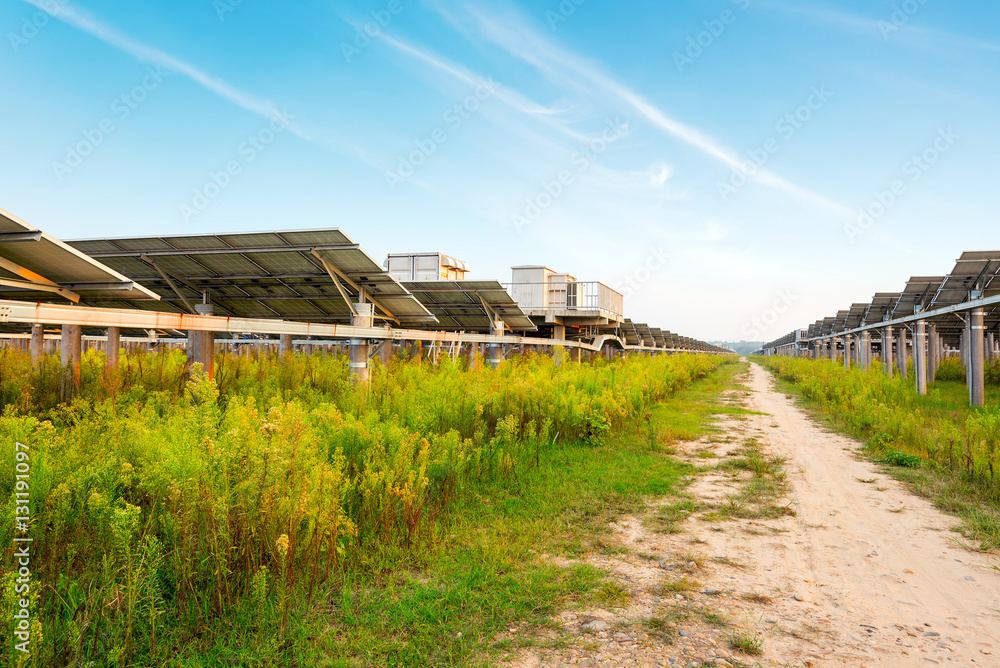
459,305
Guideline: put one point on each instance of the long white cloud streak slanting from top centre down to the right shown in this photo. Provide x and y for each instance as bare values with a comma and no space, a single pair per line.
516,36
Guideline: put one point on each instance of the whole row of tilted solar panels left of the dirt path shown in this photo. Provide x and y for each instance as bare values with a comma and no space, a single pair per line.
298,275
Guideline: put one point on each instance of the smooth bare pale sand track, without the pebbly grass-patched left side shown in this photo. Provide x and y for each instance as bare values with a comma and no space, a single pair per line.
857,562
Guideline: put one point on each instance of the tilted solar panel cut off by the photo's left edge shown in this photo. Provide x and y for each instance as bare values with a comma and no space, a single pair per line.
39,267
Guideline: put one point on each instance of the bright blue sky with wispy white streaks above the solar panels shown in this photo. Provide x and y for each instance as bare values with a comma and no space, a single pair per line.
710,159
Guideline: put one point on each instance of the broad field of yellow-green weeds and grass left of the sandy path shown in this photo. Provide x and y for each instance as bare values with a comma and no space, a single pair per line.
281,516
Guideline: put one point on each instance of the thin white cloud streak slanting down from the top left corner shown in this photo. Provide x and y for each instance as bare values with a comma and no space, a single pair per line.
109,35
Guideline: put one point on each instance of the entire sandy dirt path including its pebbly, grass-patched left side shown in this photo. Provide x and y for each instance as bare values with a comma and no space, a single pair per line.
864,574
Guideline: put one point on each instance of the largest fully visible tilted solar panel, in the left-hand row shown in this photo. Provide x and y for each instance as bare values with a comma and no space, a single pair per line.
291,274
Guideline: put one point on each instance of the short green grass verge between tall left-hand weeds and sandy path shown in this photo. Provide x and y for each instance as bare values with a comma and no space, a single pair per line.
563,509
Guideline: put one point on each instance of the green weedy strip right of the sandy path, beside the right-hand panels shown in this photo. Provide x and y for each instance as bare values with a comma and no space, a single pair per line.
943,449
